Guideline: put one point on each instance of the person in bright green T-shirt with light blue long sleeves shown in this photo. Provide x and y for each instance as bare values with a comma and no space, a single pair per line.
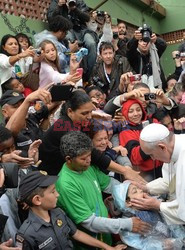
80,187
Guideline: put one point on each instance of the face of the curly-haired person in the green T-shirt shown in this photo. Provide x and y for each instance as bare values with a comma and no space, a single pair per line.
81,162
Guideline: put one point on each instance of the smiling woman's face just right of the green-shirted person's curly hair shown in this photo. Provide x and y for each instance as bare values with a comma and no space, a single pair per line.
100,140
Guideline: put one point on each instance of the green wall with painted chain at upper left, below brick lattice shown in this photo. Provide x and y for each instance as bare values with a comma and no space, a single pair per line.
12,25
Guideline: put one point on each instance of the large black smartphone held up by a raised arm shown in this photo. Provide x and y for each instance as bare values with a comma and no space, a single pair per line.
61,92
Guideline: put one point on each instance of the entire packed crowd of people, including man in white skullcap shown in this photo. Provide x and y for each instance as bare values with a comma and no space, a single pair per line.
92,138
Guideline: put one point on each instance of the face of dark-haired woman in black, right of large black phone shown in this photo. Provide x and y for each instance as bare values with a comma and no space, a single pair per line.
82,114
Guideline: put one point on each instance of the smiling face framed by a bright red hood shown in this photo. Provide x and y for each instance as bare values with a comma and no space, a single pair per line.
135,113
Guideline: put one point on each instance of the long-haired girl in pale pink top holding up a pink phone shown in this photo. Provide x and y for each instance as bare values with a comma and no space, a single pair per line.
50,68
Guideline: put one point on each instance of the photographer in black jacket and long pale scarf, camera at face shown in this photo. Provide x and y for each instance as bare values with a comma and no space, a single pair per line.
144,51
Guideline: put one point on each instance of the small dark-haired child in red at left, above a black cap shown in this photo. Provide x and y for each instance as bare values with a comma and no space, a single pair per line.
15,84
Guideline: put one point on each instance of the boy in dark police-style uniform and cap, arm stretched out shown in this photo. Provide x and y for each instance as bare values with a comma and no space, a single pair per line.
48,227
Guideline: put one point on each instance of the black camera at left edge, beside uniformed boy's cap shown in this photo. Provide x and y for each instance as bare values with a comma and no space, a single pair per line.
11,174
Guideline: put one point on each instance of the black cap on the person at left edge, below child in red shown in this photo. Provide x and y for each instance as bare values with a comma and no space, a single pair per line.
11,97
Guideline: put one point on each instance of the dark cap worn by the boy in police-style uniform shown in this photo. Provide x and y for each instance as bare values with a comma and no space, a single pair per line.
33,180
